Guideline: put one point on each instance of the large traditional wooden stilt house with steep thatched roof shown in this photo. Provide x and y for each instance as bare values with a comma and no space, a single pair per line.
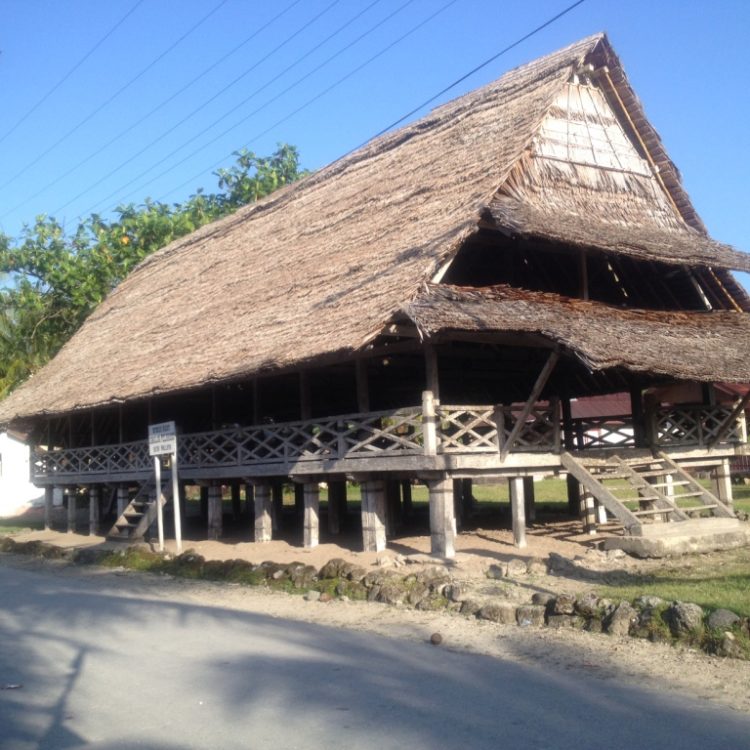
426,308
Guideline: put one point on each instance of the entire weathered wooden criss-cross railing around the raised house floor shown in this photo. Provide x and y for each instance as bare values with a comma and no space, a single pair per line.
431,430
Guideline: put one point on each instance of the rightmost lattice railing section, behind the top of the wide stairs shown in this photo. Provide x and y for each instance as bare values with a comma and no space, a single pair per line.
693,425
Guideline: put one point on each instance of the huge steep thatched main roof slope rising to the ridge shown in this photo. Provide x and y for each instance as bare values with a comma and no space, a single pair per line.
319,268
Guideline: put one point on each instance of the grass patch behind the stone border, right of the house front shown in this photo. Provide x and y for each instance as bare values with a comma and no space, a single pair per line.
720,580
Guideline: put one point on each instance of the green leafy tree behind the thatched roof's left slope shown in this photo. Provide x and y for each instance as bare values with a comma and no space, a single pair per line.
53,280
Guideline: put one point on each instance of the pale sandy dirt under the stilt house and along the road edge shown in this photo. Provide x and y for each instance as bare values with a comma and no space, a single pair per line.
676,669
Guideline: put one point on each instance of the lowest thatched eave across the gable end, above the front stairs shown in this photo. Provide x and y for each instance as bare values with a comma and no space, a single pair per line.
704,346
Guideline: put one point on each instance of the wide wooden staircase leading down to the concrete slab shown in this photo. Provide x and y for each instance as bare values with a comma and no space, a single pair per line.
649,496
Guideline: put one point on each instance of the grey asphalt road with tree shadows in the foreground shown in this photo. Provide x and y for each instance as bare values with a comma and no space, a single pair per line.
103,665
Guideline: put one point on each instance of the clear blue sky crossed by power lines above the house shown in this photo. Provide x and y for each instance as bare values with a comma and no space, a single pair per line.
101,138
